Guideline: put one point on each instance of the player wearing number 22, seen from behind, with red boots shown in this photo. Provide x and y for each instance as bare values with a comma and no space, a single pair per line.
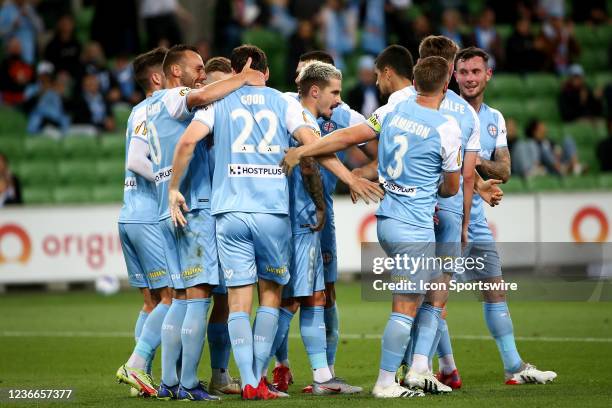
251,204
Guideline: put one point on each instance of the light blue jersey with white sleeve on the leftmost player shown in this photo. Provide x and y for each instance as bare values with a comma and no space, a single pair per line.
139,195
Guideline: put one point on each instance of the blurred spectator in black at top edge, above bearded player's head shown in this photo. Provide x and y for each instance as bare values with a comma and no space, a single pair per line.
161,19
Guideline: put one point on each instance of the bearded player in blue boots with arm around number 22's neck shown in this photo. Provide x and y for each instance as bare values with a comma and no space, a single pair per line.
190,251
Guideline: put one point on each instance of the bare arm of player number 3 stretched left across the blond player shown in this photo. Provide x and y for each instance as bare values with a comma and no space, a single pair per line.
334,142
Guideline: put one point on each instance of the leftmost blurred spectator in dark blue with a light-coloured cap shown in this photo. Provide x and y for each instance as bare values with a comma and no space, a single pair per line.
46,99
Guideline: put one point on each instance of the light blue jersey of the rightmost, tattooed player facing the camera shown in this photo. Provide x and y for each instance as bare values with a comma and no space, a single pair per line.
493,135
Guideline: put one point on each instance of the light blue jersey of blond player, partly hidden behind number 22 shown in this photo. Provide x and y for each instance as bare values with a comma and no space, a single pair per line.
301,207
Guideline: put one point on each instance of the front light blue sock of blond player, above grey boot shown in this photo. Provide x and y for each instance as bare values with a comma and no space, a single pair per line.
312,329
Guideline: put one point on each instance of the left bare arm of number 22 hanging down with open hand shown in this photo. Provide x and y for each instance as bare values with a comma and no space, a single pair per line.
183,153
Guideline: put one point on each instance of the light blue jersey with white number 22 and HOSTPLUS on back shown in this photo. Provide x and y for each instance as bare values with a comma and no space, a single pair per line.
253,127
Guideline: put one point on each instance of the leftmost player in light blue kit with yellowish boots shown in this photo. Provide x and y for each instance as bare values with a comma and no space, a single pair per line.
139,232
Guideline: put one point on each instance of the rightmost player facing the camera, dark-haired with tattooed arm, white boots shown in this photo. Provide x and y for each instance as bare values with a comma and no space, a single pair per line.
473,74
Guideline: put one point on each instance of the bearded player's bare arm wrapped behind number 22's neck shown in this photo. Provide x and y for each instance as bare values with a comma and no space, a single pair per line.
218,90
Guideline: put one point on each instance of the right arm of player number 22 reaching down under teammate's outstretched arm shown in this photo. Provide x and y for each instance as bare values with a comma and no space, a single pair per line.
364,189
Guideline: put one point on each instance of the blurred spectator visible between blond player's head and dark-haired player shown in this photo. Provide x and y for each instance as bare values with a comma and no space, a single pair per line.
364,97
